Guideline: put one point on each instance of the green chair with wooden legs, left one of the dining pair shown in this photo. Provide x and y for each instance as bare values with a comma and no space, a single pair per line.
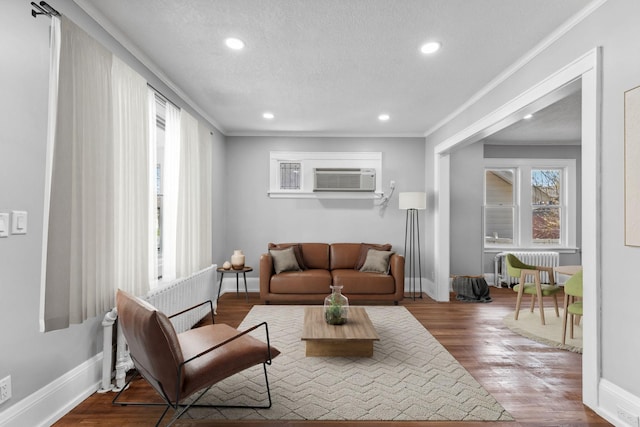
517,268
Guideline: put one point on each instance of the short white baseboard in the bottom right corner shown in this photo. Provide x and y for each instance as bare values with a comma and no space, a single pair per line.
618,406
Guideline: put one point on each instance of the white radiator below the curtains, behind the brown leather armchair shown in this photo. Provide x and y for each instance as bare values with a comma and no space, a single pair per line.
170,299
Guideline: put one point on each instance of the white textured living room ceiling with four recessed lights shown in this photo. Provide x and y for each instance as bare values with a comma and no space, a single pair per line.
330,67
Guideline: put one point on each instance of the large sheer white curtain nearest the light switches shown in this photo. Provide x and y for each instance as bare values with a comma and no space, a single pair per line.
96,125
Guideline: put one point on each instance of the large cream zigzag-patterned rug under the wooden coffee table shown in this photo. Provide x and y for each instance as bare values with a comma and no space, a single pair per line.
411,376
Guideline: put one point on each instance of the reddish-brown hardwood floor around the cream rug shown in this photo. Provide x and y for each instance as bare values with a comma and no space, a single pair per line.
537,384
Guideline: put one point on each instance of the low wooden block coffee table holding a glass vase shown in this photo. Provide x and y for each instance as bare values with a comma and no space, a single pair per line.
353,339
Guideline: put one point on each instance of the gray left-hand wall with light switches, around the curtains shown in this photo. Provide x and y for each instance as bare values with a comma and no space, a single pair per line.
35,359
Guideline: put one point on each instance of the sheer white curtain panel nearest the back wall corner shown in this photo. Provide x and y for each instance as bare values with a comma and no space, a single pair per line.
194,199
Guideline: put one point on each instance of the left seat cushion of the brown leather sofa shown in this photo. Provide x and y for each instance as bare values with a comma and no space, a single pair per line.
301,282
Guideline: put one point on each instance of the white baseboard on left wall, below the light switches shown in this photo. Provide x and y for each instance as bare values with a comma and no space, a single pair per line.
53,401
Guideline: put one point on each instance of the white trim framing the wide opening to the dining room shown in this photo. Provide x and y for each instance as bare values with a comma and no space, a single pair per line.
587,70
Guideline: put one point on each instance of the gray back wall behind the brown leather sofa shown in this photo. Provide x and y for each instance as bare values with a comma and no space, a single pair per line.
254,219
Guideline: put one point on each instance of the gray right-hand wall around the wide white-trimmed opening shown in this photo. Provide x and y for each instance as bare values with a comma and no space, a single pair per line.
612,26
